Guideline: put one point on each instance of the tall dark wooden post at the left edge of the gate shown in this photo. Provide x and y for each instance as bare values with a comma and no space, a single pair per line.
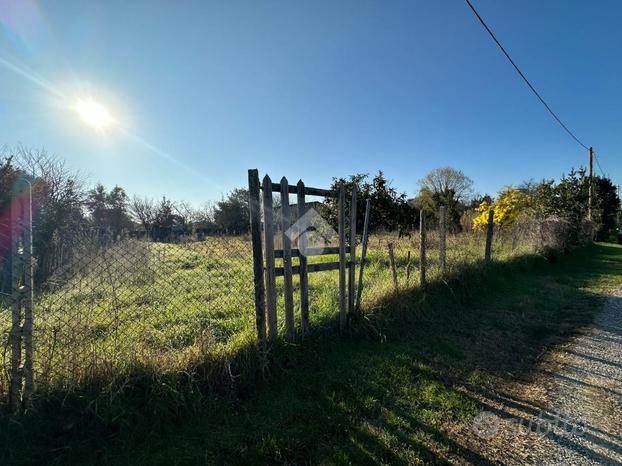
255,224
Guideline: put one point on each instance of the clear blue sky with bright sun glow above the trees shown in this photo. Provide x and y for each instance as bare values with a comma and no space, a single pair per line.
202,90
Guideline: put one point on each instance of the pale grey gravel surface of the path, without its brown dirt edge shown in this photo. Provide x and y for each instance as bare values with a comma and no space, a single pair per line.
589,394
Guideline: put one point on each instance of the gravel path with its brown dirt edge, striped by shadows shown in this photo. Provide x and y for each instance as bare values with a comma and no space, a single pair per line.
570,413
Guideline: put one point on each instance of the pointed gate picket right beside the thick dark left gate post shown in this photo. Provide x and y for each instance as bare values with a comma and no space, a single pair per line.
268,229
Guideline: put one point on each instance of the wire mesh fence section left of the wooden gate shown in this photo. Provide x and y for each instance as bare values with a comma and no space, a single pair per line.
124,303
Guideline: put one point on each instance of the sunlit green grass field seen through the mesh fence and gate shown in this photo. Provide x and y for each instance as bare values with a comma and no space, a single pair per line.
115,303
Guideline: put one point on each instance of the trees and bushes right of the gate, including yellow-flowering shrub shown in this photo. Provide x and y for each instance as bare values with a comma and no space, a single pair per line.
566,199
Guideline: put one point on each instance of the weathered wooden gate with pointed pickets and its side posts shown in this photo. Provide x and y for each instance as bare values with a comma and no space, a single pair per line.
265,284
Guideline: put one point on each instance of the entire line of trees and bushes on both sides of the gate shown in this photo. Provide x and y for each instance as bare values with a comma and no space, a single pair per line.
65,206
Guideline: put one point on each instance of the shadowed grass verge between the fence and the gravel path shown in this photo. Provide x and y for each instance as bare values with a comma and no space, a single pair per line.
383,395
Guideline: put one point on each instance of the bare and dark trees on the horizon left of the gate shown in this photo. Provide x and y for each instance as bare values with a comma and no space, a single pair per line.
65,209
